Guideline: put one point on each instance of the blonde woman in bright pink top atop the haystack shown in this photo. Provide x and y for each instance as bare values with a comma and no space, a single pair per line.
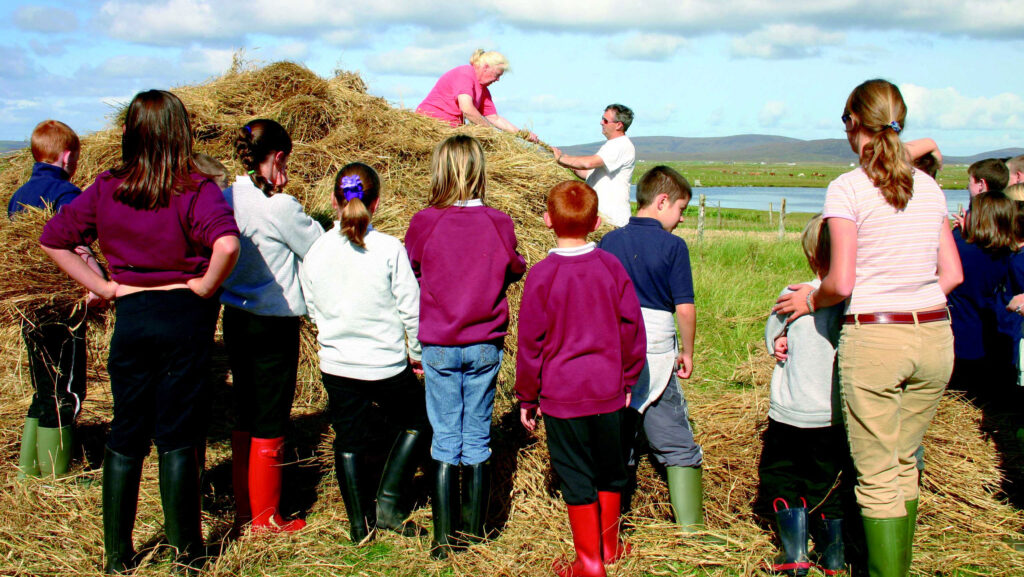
462,94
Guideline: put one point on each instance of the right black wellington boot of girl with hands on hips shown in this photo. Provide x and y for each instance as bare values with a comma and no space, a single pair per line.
180,496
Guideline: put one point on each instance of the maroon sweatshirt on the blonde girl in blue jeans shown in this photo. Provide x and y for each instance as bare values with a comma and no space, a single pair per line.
465,259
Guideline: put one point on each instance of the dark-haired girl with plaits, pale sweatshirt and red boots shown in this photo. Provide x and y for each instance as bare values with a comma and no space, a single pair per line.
264,307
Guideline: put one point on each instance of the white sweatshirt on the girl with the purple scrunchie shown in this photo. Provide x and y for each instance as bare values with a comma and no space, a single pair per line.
366,305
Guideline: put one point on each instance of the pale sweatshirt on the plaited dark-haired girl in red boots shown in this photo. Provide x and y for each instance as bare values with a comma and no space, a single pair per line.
276,235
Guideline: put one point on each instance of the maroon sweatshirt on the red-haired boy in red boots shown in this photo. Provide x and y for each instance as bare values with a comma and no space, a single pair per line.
582,340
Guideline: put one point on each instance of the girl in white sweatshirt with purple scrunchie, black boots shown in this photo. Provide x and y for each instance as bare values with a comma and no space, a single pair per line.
362,294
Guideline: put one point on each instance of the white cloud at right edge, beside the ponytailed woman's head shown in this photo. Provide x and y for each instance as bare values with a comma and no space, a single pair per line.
948,109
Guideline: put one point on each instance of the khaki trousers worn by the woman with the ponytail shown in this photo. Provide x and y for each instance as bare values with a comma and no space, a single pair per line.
892,380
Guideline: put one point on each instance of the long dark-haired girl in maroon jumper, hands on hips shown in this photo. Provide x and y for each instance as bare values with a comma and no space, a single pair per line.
170,240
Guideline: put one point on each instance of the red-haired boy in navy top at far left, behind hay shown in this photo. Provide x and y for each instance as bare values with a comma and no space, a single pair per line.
57,347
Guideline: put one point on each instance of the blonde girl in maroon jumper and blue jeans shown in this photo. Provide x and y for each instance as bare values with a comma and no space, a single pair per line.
464,255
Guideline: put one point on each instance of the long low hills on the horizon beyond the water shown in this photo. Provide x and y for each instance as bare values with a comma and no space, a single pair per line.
756,148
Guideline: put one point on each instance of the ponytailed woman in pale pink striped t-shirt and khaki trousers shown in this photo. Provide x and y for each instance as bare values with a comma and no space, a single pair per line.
894,258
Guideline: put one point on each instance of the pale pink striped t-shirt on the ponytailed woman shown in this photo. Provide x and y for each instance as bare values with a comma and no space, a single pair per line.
898,252
